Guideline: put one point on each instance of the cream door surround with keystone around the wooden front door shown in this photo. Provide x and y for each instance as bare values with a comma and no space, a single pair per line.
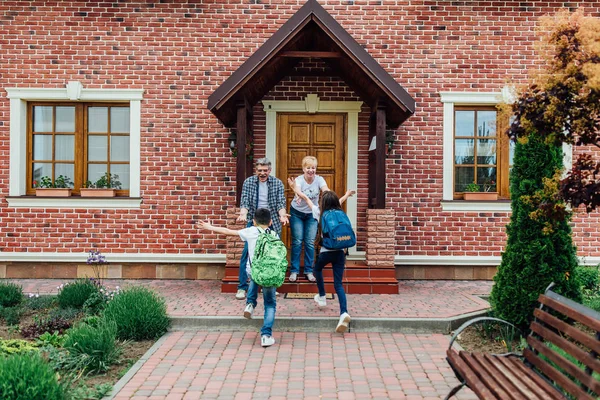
312,103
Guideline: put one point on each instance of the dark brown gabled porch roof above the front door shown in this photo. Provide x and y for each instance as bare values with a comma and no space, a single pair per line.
311,33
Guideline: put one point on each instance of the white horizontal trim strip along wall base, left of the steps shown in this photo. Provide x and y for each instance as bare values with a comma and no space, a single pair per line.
113,257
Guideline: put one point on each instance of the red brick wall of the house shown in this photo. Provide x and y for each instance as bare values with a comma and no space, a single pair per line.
179,52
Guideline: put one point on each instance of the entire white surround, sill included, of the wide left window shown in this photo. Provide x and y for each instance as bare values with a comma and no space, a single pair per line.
73,91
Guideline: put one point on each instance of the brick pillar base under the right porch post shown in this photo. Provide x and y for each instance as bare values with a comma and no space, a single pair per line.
381,238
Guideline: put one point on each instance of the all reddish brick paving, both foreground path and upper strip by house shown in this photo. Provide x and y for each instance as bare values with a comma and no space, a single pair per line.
194,364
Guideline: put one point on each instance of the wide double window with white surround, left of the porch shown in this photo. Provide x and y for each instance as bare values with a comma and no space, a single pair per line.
75,132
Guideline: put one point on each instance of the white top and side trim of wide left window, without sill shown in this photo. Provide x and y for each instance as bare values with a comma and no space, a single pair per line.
72,91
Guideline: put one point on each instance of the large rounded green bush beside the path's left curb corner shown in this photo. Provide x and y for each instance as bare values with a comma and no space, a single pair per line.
139,313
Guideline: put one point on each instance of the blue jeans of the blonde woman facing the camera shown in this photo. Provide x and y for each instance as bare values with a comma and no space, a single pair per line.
304,231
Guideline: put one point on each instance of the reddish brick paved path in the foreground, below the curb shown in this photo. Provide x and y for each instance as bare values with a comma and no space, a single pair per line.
232,365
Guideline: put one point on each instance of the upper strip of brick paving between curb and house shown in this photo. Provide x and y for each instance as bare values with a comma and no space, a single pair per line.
415,299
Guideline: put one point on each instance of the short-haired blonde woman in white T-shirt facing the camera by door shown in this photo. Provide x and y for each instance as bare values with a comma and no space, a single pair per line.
302,224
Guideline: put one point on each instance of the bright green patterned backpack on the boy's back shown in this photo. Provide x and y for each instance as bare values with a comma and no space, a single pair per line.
269,263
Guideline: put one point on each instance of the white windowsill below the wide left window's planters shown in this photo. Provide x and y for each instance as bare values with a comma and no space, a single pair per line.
74,202
